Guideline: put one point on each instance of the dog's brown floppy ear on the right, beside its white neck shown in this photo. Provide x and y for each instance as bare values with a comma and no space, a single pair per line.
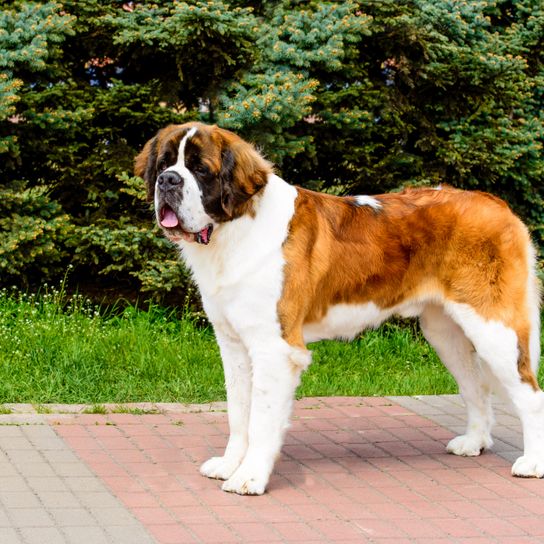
243,174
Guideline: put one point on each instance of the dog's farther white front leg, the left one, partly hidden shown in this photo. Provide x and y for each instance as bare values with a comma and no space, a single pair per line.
237,368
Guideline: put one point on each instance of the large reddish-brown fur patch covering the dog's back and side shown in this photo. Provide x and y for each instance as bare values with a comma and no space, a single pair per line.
465,247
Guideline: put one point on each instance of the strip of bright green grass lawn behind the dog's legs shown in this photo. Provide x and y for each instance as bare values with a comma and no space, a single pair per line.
72,353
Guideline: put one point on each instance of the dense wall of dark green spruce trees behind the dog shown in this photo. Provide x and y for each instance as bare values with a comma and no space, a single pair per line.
358,97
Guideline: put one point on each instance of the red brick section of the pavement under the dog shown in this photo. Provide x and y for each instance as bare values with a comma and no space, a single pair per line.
352,470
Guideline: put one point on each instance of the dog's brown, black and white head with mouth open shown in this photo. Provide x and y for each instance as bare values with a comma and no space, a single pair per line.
199,176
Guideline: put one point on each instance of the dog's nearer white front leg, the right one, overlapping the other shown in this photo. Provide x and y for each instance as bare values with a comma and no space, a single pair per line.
275,378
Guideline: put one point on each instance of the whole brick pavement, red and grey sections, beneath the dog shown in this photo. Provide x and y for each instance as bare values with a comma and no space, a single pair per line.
352,470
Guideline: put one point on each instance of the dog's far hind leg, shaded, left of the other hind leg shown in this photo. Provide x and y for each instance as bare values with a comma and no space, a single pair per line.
458,355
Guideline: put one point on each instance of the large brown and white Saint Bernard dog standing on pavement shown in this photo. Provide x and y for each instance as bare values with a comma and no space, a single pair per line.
279,266
